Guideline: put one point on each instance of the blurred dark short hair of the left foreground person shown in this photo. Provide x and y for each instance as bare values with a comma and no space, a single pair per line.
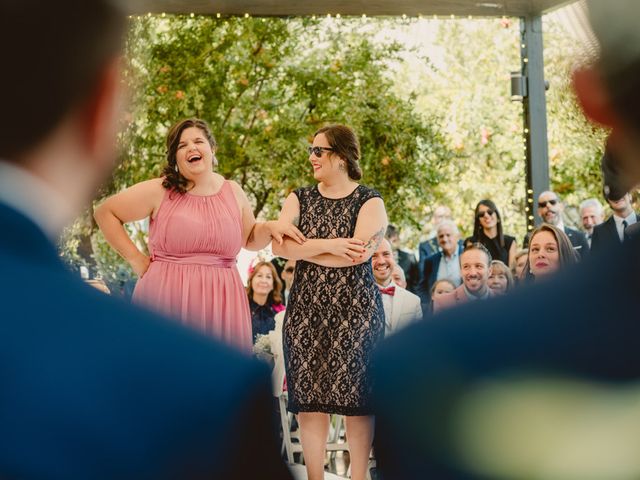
52,52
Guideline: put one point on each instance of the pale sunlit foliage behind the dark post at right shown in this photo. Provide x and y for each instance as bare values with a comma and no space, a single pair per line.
465,82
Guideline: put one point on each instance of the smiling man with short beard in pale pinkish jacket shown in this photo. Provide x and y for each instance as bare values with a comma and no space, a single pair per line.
474,266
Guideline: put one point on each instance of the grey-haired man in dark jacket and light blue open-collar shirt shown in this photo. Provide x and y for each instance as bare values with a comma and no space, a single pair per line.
444,264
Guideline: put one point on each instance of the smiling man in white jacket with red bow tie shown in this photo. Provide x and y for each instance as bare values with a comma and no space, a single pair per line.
401,307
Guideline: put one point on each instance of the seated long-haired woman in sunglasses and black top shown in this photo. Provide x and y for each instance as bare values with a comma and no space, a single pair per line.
487,230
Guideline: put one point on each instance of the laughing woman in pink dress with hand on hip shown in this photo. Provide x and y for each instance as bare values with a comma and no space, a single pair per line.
198,223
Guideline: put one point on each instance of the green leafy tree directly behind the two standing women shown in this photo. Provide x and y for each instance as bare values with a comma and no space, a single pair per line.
264,86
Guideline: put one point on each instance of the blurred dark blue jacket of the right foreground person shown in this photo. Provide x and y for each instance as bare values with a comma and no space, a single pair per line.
435,378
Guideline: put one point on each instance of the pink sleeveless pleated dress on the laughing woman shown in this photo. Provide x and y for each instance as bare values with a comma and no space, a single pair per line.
194,241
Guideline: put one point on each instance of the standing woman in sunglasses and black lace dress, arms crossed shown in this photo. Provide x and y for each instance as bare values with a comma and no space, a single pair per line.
335,315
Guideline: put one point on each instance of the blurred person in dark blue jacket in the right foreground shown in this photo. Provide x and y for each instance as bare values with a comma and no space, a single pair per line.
530,385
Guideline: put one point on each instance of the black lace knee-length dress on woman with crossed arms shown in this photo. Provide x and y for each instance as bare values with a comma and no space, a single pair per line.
334,316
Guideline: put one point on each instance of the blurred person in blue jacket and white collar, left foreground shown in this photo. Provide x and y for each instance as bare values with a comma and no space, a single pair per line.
93,388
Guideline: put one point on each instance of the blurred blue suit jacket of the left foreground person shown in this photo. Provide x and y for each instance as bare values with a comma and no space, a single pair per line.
93,388
